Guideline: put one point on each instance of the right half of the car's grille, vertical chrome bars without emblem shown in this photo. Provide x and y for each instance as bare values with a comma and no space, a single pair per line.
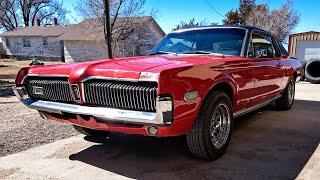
140,96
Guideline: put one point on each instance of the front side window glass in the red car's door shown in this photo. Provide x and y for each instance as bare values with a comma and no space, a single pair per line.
261,46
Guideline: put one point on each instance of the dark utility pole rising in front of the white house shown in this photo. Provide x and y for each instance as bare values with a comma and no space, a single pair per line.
107,27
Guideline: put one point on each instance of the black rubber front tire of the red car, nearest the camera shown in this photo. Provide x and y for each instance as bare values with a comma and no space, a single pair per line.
199,137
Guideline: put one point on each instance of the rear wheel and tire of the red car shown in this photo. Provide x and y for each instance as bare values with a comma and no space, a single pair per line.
285,102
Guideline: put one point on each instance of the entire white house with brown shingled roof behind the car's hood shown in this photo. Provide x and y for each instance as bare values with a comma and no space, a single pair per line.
81,42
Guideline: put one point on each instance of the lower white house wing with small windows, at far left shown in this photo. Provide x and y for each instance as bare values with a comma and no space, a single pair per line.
34,41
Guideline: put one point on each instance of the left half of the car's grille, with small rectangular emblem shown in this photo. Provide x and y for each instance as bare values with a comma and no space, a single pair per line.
56,89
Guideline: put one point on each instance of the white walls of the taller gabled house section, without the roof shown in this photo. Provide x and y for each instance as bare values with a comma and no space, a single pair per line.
139,43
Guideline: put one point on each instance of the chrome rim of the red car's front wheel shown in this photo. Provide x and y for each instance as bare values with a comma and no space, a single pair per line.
220,125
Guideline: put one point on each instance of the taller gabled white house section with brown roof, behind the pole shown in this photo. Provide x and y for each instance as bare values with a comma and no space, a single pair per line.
85,41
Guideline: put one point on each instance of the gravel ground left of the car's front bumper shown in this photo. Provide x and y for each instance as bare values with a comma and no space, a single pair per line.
22,128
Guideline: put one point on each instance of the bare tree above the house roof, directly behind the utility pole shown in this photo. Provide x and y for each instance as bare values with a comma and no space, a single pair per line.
123,13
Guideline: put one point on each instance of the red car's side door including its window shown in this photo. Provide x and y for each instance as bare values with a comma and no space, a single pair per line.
268,72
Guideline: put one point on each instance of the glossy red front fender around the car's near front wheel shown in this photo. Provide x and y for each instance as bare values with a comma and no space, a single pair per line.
188,79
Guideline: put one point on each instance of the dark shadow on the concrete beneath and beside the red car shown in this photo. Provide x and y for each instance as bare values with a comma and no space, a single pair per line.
266,144
